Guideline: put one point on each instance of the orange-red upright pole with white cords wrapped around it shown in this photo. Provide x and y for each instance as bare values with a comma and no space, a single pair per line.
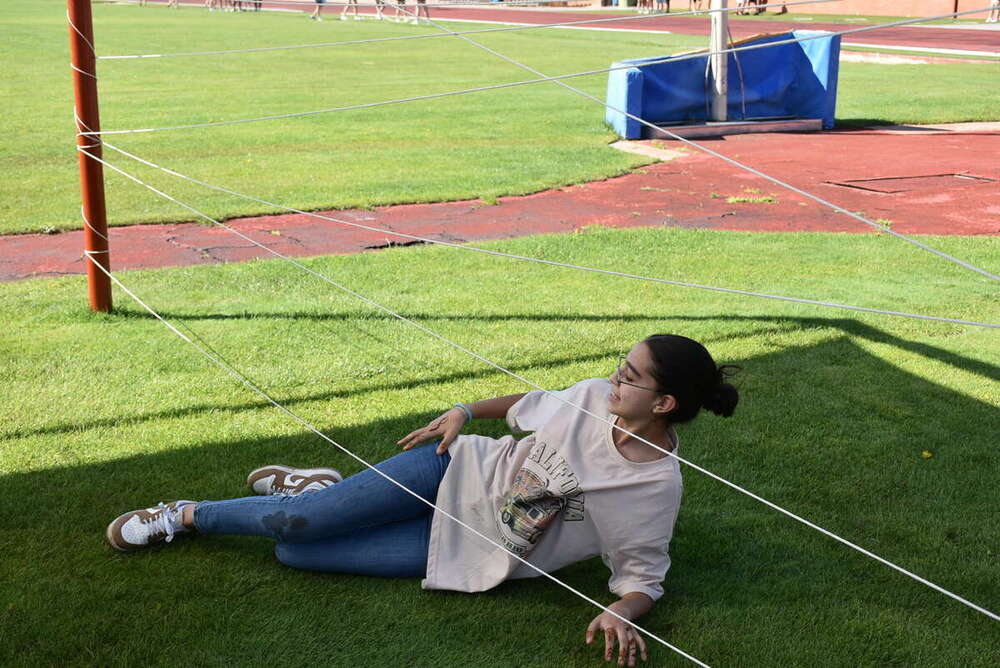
95,225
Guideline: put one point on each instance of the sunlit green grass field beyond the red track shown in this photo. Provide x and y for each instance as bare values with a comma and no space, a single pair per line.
483,145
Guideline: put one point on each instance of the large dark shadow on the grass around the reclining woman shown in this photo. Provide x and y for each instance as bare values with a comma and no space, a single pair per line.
829,430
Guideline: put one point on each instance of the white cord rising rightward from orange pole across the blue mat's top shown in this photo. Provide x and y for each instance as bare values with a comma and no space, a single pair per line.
560,77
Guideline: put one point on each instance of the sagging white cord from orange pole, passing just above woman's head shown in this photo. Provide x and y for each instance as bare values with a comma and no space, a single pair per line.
553,263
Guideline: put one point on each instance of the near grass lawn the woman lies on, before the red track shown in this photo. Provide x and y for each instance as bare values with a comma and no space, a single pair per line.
107,413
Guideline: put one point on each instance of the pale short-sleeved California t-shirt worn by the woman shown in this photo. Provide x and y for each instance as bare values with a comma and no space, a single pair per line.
557,496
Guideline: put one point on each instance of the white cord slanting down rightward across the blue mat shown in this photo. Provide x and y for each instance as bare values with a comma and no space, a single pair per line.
705,149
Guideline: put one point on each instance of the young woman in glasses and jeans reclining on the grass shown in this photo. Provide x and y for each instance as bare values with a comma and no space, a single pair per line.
573,488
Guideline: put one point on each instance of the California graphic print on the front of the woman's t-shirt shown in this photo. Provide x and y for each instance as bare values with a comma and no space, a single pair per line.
544,485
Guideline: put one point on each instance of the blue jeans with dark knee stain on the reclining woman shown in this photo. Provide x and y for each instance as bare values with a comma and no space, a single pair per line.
364,525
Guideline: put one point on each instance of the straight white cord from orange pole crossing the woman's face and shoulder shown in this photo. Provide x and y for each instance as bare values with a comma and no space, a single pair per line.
496,366
